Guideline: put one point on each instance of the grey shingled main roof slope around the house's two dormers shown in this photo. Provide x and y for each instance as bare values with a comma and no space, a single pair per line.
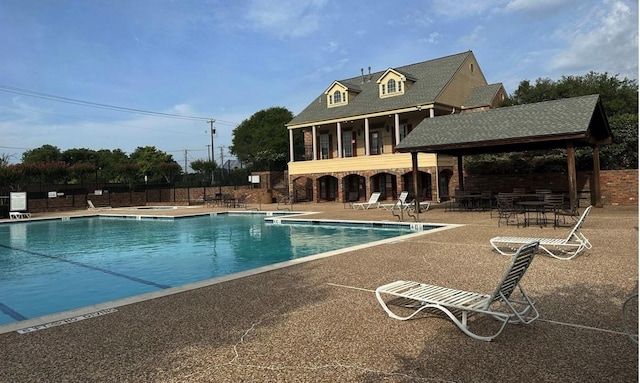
436,74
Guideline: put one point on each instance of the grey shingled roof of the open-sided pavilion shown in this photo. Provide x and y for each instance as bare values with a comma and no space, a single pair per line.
541,125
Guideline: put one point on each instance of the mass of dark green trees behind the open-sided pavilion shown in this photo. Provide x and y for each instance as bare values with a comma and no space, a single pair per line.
620,101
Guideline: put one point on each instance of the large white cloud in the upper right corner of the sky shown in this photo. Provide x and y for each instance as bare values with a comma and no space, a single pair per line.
604,40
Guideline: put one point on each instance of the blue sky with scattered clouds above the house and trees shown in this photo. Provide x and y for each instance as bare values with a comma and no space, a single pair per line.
227,60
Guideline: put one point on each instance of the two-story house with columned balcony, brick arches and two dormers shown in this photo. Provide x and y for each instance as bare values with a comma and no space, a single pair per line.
352,128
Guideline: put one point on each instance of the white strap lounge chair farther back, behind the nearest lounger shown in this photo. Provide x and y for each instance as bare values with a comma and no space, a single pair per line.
560,248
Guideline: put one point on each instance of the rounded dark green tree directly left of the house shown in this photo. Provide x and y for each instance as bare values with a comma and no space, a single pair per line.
263,140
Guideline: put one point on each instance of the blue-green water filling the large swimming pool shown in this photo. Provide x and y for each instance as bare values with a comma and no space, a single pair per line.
53,266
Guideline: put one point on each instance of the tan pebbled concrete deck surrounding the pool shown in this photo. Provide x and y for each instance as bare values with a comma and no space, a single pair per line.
320,322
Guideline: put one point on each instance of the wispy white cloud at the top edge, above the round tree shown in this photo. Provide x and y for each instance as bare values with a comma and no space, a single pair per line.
289,18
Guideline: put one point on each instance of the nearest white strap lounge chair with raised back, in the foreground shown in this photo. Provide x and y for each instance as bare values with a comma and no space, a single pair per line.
458,305
